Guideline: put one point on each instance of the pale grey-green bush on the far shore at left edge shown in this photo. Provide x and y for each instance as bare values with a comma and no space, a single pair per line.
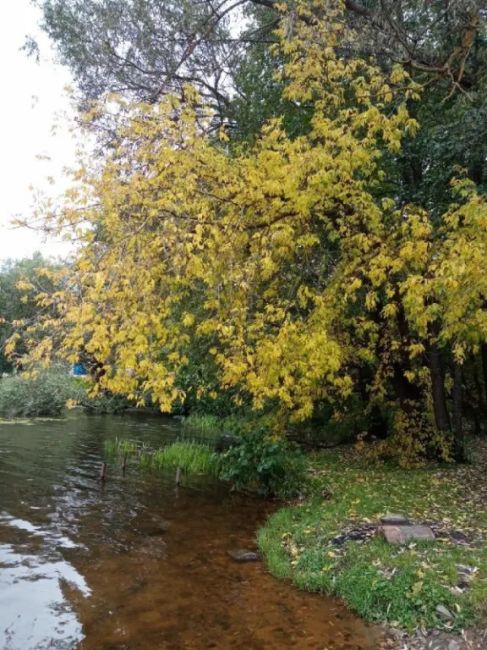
45,394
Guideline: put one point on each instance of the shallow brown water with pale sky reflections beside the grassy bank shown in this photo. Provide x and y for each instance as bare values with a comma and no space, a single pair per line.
137,563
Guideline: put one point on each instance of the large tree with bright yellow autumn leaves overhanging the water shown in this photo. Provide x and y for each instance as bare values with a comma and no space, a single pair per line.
293,259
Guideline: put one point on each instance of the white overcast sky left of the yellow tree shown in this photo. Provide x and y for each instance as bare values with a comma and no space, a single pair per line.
33,99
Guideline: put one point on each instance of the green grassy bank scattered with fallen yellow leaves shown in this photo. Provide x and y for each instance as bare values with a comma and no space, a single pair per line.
329,543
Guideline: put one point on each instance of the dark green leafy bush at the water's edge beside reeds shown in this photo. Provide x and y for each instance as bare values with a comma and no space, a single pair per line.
265,464
